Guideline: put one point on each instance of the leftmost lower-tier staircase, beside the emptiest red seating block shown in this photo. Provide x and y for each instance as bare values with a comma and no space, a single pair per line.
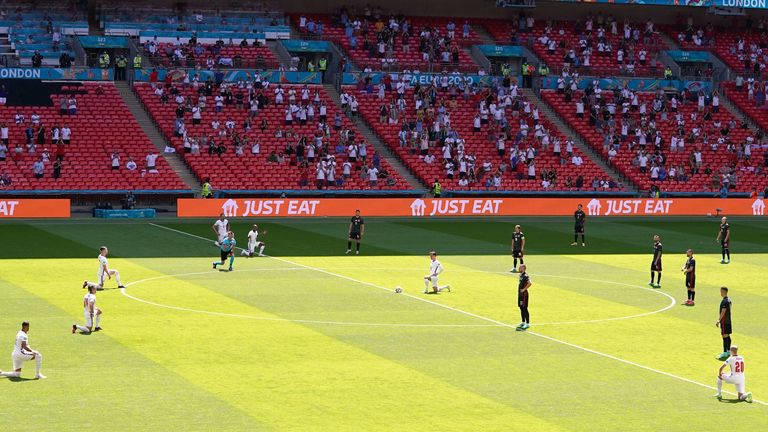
149,127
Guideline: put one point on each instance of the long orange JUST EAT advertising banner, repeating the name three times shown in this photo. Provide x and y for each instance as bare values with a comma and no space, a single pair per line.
409,207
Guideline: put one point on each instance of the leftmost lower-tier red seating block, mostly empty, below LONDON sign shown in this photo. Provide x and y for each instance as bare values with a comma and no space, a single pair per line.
101,127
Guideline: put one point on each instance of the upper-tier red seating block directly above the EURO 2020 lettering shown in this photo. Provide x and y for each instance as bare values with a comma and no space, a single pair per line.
396,43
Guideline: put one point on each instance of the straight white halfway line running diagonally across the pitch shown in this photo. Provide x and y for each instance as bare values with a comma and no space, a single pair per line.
491,320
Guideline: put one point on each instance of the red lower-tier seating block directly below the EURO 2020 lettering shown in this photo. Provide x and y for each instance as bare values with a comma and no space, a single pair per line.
410,133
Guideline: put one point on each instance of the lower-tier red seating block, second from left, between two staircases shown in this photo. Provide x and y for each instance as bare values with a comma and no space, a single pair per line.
285,157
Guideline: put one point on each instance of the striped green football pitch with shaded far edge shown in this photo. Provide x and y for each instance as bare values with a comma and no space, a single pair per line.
311,339
